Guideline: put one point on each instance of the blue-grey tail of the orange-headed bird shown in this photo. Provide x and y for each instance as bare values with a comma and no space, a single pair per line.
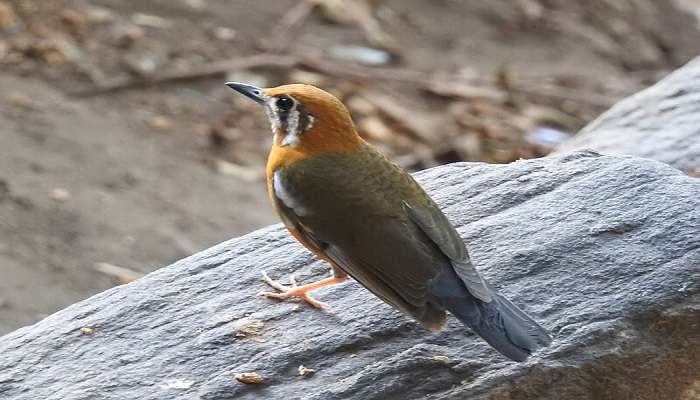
499,322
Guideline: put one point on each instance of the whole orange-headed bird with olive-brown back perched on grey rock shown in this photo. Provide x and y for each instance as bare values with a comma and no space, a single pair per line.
351,206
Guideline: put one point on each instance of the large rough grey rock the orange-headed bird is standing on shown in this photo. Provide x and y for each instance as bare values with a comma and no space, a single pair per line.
603,250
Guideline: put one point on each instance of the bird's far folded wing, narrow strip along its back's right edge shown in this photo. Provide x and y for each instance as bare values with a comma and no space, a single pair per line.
438,228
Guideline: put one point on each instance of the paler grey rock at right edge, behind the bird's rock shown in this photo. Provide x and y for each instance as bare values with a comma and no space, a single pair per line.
661,122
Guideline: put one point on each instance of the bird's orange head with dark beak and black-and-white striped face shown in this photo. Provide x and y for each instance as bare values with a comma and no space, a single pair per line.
304,118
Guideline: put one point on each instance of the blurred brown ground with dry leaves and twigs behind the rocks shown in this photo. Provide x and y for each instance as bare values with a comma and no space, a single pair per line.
122,151
